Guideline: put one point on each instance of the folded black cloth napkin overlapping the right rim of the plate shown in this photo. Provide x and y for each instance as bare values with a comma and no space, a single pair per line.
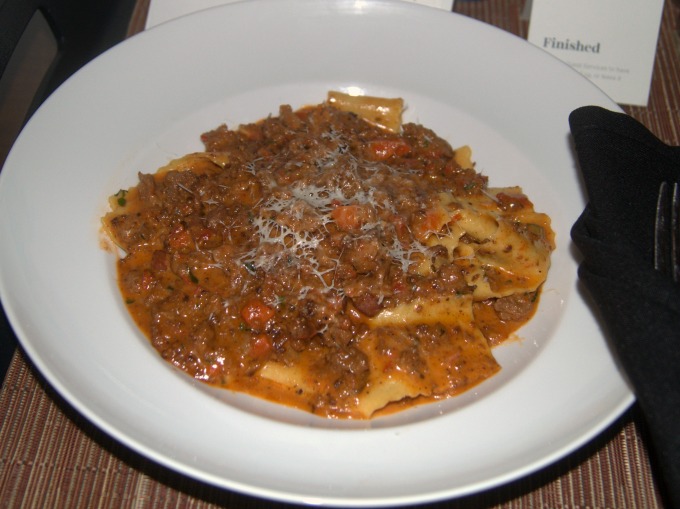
622,165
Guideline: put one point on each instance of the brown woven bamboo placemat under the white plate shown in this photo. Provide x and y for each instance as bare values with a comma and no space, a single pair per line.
50,456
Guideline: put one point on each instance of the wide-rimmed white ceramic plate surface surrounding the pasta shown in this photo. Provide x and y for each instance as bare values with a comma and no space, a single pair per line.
148,99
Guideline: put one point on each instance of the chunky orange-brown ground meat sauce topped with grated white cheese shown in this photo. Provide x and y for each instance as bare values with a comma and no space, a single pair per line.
285,241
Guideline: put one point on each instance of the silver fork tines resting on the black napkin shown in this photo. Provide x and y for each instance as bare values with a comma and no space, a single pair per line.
667,231
